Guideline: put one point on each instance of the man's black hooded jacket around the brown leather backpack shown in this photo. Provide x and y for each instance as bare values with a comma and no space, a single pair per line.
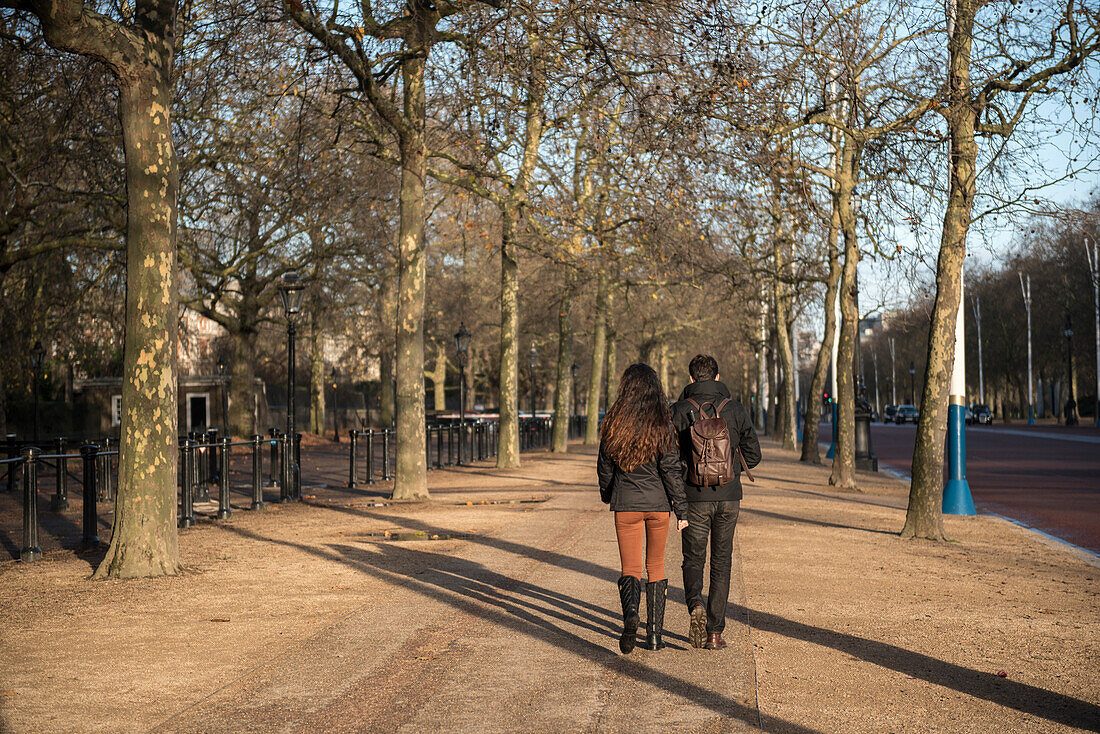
742,435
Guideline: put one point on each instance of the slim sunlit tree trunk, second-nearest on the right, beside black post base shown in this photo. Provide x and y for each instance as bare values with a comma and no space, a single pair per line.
844,462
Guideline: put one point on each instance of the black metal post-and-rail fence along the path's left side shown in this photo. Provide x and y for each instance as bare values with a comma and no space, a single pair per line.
205,466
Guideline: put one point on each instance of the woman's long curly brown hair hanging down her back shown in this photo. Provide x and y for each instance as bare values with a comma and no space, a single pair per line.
637,429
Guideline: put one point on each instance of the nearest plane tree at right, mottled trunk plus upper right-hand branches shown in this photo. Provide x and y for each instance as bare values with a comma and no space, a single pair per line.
972,111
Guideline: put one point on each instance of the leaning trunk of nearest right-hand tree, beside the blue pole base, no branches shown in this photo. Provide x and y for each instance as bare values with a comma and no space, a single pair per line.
925,516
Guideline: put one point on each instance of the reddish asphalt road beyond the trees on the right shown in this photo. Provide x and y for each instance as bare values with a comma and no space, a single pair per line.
1046,477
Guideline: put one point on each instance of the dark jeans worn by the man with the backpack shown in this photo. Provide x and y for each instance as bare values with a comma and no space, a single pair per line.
714,521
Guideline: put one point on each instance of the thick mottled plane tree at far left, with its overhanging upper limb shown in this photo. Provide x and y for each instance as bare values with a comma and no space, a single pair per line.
139,49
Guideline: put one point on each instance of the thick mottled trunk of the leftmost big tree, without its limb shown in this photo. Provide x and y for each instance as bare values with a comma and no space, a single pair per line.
145,541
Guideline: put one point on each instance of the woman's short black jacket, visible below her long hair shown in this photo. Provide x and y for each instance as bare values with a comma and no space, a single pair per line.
651,488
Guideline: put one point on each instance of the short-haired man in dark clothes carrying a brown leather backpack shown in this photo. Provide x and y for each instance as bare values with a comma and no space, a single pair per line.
718,442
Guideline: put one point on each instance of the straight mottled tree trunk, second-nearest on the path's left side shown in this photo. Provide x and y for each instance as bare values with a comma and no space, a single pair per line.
411,481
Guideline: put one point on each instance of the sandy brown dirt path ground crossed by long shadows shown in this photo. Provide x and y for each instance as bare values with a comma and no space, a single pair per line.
493,608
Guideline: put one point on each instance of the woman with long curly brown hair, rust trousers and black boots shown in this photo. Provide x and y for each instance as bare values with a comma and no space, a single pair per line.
642,479
